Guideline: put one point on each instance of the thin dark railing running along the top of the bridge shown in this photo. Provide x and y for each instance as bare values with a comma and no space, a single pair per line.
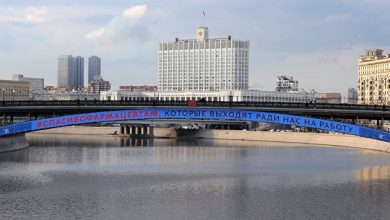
199,103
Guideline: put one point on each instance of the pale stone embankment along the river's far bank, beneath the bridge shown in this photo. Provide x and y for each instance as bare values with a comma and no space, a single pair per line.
338,140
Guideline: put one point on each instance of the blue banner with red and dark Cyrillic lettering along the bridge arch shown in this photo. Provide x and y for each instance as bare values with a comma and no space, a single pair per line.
194,113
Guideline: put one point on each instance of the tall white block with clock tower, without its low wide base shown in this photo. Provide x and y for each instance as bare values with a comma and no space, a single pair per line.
203,64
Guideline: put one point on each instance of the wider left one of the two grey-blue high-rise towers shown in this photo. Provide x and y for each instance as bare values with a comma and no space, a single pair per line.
70,71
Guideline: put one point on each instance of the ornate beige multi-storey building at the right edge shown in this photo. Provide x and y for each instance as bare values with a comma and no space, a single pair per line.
374,78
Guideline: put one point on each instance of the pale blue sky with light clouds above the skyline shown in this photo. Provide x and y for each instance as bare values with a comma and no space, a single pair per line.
316,42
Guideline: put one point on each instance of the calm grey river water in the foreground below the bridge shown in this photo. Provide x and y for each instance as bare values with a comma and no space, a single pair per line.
95,177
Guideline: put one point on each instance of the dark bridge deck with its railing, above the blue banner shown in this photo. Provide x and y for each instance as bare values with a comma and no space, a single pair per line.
41,109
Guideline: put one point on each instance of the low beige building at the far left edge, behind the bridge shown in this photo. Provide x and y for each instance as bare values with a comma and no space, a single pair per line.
12,90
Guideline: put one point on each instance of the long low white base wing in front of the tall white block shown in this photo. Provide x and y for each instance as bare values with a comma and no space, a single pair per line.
233,95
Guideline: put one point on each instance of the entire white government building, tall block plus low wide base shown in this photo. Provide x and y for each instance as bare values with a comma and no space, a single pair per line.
213,69
